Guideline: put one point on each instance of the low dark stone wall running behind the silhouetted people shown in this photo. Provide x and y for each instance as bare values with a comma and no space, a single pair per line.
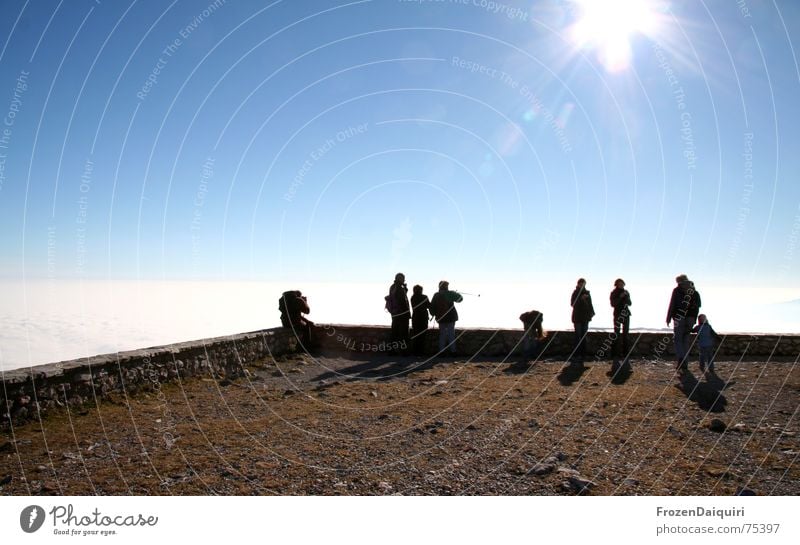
29,392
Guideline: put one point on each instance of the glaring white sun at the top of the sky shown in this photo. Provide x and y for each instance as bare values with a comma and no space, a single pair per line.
607,27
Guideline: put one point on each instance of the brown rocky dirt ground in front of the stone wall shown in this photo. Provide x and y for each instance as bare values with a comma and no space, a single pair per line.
404,426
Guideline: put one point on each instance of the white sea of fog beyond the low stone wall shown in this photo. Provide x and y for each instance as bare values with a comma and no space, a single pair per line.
47,321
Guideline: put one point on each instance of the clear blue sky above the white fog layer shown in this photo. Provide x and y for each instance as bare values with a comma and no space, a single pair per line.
333,141
